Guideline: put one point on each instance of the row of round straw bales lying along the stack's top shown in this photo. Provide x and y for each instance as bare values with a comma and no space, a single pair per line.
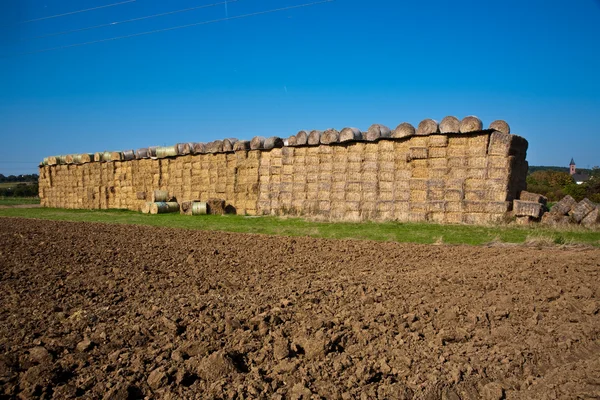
448,125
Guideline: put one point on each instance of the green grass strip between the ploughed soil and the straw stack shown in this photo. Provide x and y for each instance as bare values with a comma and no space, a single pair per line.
426,233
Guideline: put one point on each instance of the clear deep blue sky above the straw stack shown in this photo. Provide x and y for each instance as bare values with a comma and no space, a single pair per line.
342,63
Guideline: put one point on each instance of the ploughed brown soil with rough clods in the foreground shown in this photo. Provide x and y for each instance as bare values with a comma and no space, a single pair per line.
118,311
